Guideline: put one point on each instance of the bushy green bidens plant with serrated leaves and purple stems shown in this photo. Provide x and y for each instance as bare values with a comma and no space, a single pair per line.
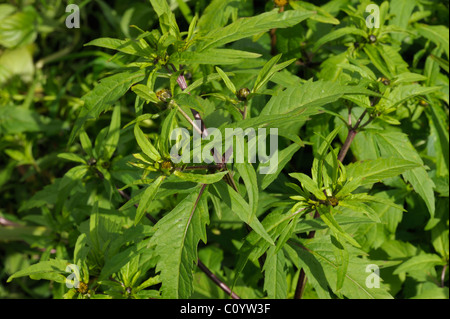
361,172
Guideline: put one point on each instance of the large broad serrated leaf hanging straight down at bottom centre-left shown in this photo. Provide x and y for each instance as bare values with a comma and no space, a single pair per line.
175,242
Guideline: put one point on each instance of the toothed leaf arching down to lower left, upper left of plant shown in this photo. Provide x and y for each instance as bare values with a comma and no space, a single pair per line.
103,95
